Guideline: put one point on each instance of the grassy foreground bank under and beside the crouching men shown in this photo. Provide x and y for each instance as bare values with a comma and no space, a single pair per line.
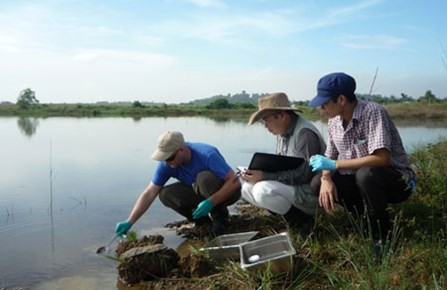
337,256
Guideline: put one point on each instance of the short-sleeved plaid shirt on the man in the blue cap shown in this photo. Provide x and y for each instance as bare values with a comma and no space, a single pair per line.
370,128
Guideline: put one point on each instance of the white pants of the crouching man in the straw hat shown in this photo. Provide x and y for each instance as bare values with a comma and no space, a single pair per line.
278,197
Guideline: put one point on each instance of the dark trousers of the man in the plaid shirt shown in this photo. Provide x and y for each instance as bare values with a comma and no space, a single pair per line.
373,187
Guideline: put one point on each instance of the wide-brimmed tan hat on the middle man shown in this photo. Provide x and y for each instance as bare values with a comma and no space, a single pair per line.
269,104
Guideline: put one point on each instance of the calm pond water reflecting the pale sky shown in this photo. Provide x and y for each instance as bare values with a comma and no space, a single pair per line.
65,182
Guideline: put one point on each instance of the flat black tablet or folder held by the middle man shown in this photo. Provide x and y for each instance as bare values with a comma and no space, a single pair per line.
274,162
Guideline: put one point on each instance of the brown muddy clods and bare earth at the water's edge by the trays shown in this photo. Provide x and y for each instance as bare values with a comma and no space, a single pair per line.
187,267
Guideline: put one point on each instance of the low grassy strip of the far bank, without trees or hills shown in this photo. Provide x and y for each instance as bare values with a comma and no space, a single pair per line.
407,111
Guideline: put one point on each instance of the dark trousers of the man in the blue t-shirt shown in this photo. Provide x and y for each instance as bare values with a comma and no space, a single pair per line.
184,198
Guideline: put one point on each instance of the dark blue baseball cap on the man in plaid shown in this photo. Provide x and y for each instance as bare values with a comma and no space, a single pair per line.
332,85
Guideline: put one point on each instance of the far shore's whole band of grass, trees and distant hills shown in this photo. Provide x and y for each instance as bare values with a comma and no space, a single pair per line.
234,106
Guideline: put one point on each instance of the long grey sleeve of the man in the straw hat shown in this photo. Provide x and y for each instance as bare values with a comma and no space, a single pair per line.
306,145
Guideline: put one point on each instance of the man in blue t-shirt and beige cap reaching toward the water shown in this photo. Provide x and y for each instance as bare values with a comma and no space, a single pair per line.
206,183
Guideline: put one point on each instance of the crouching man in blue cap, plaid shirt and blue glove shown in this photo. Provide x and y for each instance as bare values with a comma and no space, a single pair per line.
365,163
